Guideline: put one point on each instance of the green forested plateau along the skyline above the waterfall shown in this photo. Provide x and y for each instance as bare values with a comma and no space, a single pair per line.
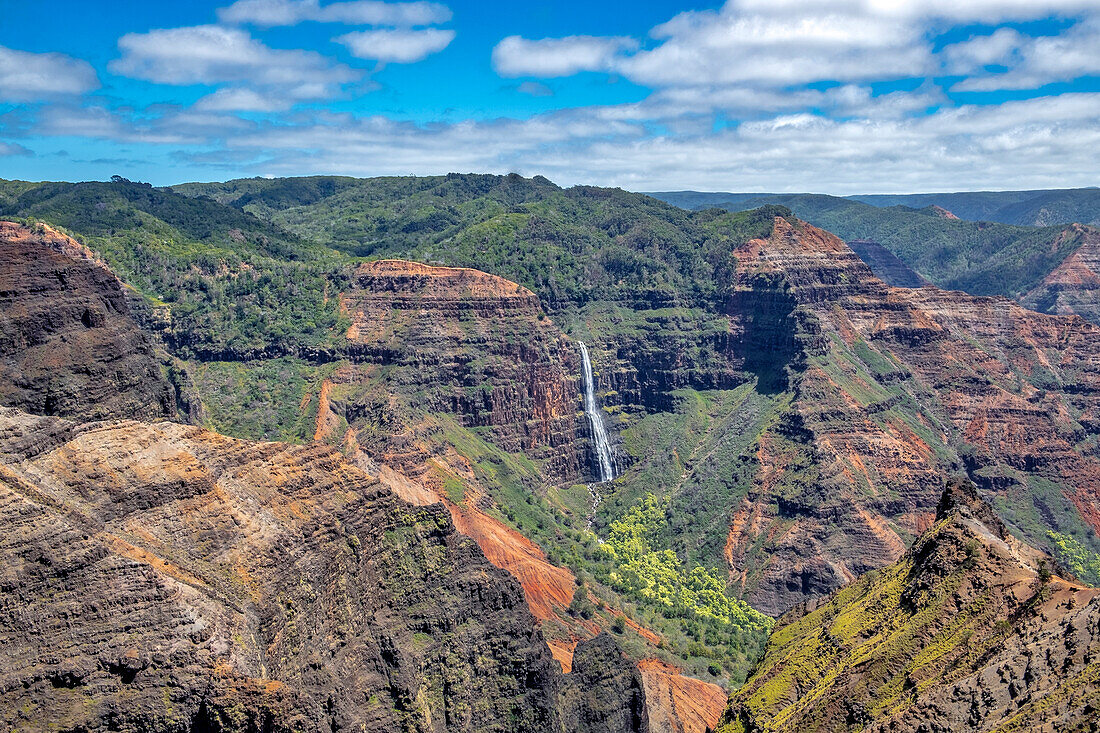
569,246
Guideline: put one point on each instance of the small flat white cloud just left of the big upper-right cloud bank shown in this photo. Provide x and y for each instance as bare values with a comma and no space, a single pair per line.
551,58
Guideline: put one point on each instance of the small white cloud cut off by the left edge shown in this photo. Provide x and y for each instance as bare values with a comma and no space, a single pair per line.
28,76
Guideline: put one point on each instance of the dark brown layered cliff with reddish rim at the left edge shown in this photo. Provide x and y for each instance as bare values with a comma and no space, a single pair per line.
68,344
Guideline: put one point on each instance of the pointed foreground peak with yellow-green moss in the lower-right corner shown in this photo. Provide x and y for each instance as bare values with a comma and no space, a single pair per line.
969,631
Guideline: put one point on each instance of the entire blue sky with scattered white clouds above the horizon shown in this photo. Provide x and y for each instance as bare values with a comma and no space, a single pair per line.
843,97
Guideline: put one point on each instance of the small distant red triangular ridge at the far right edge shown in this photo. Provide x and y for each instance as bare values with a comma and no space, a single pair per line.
1074,287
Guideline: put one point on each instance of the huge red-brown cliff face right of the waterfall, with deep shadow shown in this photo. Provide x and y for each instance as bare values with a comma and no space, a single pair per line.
894,390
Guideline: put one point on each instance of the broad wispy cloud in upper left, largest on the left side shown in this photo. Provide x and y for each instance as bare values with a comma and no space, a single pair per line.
213,54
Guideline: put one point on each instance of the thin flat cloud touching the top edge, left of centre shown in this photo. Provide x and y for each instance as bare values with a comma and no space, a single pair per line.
267,14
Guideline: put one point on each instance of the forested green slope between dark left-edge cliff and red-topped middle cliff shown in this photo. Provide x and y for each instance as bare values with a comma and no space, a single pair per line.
219,282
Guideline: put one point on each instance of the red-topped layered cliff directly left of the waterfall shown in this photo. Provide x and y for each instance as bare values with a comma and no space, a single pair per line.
468,344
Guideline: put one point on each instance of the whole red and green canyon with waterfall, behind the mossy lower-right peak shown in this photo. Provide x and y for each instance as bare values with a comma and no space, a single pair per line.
779,423
